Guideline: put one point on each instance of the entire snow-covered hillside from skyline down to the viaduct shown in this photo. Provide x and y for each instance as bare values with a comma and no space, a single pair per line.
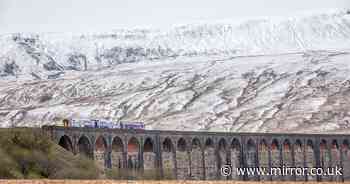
261,75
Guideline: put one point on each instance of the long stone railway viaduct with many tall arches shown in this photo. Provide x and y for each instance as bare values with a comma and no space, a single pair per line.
200,155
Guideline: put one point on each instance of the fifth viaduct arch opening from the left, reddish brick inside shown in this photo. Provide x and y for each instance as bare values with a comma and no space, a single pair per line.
133,153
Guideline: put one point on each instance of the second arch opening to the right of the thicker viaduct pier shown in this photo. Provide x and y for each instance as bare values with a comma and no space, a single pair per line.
182,159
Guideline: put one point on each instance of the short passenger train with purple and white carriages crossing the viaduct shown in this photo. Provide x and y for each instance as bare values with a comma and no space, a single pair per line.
98,123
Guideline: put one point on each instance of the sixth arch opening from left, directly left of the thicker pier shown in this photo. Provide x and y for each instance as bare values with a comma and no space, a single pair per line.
149,156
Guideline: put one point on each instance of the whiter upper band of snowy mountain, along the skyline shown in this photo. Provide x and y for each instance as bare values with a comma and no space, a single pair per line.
42,55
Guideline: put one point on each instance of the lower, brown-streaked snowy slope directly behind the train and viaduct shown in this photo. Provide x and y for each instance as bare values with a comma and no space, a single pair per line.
287,92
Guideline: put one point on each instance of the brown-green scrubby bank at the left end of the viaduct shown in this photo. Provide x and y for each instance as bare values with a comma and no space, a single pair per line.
29,154
